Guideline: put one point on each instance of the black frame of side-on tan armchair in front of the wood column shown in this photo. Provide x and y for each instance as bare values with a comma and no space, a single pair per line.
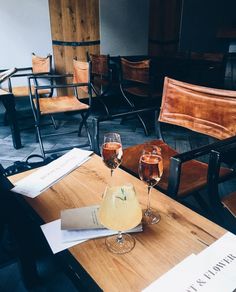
36,108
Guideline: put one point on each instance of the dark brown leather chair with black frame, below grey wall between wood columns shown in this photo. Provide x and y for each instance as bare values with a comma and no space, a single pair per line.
137,86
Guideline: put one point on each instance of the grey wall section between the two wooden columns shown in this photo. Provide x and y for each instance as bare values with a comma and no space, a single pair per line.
124,27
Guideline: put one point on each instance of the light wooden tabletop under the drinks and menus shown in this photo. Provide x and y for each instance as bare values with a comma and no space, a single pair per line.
158,248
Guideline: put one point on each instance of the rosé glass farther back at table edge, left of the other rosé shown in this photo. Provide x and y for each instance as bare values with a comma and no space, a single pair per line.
112,152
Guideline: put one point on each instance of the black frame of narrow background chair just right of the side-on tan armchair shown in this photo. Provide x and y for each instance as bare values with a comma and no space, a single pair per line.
107,77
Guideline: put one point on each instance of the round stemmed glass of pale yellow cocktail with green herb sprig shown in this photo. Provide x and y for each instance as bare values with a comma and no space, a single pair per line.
120,211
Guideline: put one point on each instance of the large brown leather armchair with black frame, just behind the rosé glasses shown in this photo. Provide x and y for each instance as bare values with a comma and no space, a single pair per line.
204,110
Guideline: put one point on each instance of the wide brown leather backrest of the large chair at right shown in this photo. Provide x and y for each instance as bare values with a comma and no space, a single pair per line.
205,110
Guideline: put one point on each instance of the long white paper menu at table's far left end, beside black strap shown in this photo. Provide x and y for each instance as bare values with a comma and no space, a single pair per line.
37,182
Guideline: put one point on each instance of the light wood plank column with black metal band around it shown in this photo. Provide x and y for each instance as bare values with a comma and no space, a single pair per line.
75,30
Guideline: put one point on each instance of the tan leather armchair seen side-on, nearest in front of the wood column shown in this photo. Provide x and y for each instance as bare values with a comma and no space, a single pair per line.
61,103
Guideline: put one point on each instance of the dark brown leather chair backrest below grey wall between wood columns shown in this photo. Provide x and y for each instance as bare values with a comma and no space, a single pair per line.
137,71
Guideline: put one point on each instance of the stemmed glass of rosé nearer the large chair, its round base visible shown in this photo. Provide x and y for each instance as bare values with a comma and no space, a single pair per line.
150,171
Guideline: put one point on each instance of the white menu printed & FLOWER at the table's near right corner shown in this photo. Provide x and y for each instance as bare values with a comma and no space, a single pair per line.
212,270
